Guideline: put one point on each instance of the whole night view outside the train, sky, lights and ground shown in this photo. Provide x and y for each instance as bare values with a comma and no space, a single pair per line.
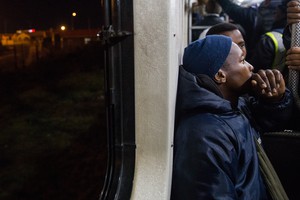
53,139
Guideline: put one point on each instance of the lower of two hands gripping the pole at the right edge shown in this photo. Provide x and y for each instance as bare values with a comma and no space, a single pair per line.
292,59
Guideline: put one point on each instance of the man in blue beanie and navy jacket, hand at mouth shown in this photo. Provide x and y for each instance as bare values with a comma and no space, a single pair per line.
216,126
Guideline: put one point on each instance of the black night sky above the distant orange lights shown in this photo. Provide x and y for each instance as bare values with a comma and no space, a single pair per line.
46,14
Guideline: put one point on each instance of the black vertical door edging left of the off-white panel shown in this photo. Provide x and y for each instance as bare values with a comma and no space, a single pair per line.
117,39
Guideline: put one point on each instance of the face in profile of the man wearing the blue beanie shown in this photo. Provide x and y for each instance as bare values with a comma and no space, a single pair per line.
237,70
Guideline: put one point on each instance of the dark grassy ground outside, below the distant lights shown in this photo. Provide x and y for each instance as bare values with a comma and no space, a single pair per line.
53,133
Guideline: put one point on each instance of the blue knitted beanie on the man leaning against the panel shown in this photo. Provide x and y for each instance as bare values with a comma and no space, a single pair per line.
207,55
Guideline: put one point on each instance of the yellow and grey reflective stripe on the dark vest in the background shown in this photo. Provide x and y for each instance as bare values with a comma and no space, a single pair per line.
279,58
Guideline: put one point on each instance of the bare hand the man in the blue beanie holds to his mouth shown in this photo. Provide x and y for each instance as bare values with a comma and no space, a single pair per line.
269,84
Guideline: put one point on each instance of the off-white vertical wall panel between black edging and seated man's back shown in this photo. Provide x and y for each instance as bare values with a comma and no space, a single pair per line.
159,38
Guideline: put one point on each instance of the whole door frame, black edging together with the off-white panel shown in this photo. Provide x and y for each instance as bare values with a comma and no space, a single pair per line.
140,159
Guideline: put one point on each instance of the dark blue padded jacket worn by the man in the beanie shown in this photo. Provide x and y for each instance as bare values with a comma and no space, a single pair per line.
214,149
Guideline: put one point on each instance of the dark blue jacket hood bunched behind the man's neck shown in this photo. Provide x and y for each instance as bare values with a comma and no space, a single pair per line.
198,93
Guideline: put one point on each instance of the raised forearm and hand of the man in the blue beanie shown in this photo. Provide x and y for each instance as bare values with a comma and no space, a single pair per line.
272,106
